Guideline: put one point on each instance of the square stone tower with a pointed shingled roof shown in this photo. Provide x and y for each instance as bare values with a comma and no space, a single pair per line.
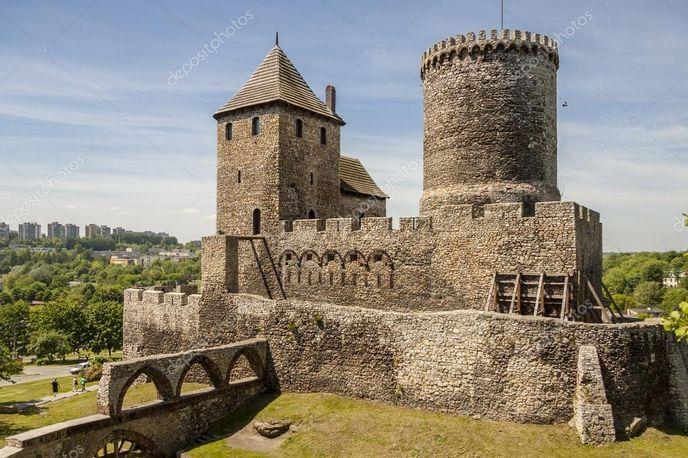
277,152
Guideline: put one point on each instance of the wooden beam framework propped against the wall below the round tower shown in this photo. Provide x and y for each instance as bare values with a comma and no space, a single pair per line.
567,296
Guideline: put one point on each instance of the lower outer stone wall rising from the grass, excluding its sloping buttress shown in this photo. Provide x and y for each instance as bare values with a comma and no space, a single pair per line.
502,367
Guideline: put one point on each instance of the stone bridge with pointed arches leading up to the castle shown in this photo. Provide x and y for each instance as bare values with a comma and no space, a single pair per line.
160,428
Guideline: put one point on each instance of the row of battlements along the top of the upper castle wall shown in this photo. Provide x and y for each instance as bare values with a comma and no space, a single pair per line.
487,212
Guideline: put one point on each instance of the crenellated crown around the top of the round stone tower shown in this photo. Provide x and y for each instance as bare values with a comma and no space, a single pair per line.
487,41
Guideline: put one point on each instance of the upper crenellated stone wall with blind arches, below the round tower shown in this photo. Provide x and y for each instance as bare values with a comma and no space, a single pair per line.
427,263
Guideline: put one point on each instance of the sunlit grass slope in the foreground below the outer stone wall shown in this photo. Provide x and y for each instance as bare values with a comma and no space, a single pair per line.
330,425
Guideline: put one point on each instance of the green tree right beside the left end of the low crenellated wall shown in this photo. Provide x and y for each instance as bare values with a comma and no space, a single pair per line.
104,326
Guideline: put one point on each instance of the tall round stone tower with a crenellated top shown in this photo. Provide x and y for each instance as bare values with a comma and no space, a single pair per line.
490,107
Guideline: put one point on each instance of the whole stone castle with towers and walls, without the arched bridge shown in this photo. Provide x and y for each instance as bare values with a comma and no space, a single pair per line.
488,303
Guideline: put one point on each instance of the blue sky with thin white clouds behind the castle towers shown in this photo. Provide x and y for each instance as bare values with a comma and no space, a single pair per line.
92,130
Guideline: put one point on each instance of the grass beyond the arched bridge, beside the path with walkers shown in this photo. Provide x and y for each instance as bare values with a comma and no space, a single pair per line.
64,409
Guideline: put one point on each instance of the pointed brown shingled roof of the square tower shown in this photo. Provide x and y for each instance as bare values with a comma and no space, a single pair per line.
276,78
